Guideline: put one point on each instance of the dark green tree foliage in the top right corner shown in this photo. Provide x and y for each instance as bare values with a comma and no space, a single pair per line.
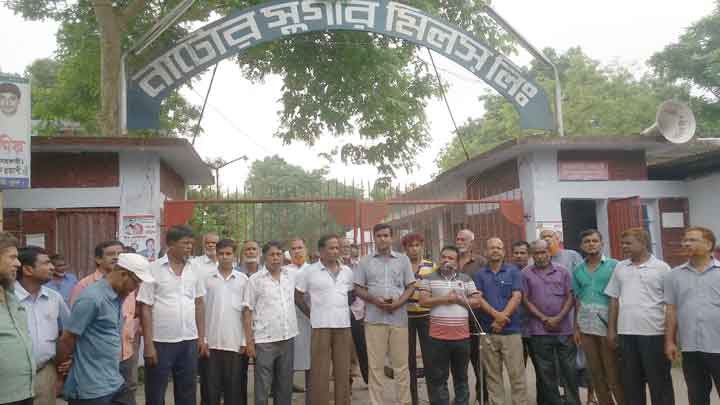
695,60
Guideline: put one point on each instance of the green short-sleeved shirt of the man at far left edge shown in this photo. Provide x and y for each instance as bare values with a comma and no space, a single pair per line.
17,368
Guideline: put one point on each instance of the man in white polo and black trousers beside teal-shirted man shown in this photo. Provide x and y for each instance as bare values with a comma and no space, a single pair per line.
636,322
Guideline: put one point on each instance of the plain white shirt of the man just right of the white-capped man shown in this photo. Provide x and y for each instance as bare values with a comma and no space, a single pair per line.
172,298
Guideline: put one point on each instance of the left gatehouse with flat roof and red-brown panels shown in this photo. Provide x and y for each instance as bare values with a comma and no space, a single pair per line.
88,189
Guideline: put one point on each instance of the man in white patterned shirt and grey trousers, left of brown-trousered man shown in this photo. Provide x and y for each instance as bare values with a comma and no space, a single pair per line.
271,323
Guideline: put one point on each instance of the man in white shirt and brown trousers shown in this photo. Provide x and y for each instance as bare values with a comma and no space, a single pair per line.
329,284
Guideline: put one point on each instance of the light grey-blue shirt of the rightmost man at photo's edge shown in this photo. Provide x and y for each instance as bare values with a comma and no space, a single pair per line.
697,298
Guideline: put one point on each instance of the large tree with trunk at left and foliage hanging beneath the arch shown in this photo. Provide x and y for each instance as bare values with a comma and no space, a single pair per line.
339,83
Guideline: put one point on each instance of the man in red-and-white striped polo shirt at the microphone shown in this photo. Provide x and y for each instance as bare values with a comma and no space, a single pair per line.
449,294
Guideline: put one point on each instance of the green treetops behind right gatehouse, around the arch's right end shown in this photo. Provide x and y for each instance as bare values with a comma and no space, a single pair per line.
597,100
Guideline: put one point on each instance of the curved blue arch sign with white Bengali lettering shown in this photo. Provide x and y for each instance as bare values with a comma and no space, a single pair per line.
270,21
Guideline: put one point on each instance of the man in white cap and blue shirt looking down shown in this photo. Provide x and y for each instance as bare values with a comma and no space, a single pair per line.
92,335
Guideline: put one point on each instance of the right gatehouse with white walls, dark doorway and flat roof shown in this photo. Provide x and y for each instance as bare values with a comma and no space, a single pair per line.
573,183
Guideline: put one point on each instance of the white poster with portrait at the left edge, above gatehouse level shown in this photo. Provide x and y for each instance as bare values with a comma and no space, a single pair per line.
15,129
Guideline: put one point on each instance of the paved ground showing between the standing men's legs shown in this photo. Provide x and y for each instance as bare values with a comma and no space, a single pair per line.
360,392
